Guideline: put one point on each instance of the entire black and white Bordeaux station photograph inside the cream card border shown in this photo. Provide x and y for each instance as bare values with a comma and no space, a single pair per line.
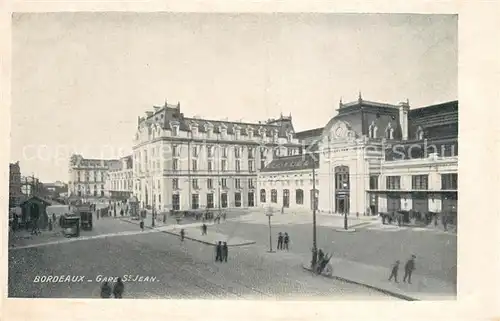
242,156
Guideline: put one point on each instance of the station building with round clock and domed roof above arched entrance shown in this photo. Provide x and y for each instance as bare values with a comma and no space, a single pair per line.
370,158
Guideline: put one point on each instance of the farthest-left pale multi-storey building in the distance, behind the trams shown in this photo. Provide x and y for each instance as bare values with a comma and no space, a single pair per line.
87,177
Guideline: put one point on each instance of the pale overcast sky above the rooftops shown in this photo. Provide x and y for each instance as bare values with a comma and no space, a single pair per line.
79,80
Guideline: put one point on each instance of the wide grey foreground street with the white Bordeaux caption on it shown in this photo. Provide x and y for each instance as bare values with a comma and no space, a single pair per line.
173,269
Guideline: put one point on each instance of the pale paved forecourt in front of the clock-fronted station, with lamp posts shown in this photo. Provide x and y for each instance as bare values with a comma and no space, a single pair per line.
371,244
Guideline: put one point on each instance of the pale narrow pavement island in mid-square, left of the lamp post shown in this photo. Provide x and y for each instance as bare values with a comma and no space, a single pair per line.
193,232
